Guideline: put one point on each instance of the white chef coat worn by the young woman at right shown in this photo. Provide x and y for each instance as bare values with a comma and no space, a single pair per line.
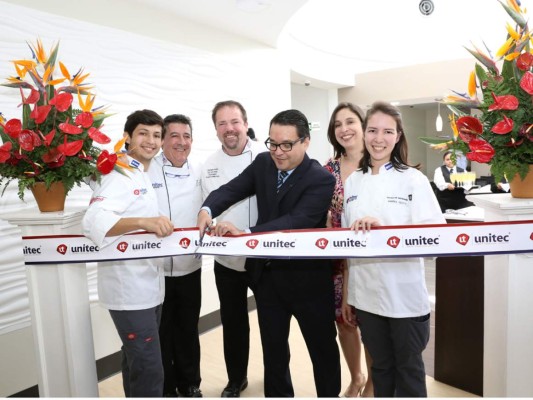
391,287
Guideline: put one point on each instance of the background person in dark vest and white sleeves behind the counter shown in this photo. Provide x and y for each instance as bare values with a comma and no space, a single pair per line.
449,196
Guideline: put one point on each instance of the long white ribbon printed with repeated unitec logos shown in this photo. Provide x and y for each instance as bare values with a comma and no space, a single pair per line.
394,241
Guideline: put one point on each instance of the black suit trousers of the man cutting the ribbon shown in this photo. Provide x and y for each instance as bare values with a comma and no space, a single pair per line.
277,303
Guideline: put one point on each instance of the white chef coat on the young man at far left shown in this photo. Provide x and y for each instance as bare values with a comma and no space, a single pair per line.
130,284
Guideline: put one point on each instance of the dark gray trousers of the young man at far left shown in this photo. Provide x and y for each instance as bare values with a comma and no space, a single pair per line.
142,367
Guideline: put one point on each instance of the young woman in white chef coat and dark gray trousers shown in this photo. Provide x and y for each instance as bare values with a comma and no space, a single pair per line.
389,294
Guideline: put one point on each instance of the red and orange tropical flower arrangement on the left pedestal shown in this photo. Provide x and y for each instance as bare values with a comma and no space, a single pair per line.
53,141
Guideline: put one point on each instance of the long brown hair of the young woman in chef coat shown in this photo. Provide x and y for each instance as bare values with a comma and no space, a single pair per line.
399,155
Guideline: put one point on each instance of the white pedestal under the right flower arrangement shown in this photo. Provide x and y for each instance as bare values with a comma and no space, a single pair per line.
508,326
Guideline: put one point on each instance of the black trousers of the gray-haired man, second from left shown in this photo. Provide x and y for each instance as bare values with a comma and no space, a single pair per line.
180,342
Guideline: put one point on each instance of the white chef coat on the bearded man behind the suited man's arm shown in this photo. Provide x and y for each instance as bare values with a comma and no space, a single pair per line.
218,170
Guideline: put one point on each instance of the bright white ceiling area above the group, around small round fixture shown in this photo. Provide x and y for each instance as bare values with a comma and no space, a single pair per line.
329,41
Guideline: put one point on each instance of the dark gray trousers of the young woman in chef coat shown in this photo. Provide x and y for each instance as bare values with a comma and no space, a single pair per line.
396,346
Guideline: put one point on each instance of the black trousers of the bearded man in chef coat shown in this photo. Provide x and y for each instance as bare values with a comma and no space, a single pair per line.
232,289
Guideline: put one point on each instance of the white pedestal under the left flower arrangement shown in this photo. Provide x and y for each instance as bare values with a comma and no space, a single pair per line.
60,312
